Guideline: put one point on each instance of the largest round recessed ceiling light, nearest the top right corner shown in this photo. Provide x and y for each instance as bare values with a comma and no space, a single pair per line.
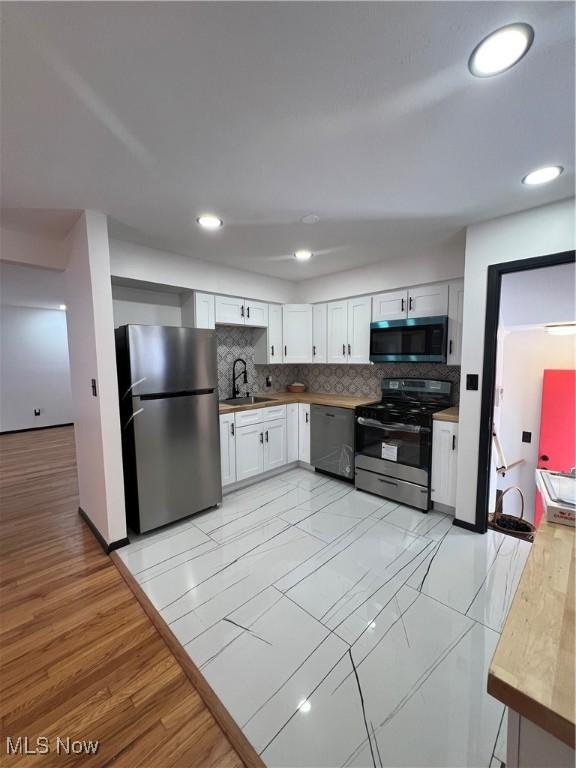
501,50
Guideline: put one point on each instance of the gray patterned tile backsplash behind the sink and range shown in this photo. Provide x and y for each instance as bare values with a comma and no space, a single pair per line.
234,342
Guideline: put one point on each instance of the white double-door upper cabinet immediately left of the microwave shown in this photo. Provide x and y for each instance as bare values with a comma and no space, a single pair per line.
349,331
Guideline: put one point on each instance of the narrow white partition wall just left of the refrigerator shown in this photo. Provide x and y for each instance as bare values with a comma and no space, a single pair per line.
92,356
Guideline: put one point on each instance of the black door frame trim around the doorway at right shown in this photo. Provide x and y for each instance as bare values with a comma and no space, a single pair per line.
493,289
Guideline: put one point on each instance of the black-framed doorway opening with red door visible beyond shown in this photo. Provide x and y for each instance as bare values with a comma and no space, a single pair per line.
529,384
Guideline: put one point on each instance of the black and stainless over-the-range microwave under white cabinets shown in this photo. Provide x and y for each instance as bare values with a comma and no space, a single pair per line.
413,340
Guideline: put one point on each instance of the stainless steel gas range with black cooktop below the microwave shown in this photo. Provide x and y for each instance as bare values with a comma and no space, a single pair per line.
394,440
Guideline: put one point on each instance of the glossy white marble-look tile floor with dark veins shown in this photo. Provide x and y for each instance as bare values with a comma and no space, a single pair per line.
339,629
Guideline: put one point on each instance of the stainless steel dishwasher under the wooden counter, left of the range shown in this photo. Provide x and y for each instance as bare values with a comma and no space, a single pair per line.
332,440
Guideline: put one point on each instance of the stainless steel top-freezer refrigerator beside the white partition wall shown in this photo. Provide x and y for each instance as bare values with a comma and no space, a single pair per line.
168,386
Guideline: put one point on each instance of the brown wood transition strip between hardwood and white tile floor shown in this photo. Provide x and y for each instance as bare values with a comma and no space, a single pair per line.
235,736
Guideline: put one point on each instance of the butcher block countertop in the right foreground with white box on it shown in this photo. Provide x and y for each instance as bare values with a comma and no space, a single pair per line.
532,671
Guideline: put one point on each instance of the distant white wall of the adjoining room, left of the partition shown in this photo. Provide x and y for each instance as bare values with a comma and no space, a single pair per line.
34,370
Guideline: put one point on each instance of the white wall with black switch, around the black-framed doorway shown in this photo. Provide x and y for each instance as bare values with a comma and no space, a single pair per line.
536,232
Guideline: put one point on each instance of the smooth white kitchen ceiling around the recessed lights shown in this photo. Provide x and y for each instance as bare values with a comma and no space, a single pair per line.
363,113
